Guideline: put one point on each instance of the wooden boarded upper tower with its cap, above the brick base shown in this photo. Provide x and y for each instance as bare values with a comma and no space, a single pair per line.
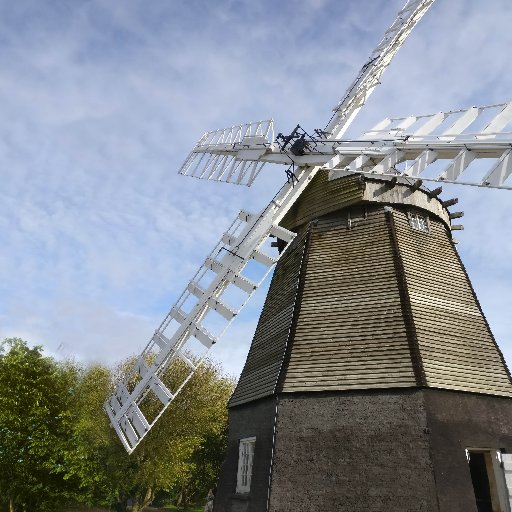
365,301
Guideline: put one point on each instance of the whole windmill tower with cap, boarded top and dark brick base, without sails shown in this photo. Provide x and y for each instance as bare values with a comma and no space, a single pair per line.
373,382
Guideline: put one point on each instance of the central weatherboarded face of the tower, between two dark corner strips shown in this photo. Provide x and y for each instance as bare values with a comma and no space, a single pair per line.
350,331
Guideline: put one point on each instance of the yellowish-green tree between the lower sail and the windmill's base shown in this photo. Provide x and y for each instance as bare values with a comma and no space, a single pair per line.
173,456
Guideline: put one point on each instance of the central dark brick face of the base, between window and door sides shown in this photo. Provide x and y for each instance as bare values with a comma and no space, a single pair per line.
362,451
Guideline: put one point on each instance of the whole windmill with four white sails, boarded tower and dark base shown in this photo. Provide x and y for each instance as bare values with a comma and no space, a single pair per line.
363,206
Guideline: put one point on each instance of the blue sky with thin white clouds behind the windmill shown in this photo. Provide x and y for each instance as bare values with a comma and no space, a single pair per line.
102,100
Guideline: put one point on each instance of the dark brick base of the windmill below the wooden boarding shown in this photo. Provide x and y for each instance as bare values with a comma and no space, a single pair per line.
363,451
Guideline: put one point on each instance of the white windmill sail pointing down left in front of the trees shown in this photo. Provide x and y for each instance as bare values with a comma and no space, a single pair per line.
224,267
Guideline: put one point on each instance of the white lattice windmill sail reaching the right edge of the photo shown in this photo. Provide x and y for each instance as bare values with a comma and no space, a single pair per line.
415,146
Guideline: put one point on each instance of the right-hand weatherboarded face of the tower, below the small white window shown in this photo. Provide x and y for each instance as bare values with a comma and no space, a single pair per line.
457,348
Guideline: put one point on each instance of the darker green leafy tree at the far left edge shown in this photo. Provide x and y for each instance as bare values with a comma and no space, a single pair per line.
34,428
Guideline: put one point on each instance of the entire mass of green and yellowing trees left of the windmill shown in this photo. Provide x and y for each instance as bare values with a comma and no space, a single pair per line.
57,447
